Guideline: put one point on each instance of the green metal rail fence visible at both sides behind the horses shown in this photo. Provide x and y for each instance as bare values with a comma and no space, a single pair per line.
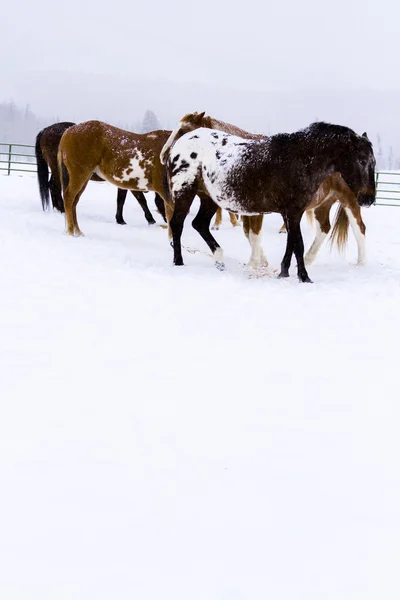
387,182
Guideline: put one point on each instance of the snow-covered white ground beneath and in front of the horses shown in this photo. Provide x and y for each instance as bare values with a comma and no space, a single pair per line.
185,434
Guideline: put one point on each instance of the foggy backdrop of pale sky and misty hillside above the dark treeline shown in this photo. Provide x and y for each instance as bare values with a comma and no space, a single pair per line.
67,59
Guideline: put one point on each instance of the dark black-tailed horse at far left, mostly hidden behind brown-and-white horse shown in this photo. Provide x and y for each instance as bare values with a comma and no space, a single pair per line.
46,148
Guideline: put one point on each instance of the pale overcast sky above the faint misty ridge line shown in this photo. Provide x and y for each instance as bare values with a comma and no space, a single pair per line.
280,44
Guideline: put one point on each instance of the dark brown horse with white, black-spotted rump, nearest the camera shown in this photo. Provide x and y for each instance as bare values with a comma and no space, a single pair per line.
285,173
